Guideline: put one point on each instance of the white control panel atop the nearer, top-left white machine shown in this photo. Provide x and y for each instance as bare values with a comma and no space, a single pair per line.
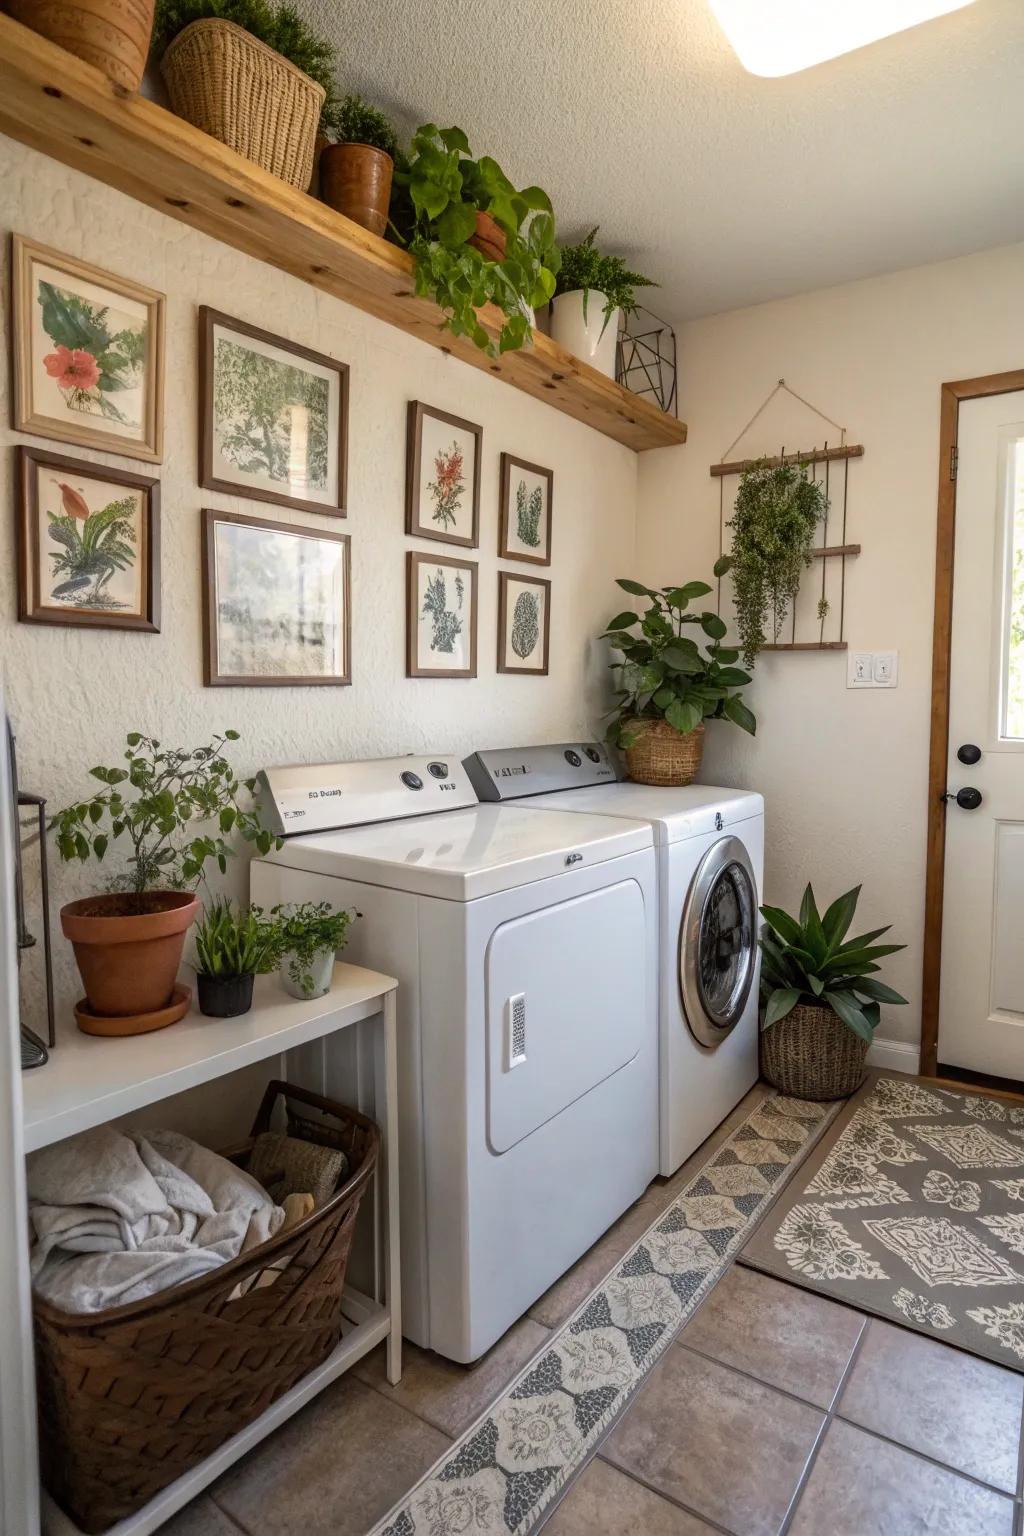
322,798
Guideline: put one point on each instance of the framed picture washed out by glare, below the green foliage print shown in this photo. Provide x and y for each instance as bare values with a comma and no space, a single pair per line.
276,604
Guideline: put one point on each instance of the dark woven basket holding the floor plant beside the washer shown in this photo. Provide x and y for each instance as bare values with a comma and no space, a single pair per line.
811,1054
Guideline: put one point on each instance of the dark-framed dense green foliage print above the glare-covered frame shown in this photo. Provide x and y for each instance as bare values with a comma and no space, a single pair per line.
274,419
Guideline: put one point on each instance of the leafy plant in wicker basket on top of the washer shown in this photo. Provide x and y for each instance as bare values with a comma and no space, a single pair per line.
670,683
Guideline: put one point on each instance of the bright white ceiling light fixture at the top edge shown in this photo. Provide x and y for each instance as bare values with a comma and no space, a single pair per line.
779,38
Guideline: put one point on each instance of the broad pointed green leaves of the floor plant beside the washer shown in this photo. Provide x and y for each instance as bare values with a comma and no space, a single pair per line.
811,961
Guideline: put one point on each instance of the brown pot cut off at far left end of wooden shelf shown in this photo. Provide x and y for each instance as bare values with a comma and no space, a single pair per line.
111,35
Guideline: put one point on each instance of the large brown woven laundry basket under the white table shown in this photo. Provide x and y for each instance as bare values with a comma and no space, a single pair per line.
131,1399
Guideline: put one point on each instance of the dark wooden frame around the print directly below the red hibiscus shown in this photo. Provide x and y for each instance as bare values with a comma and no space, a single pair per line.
30,555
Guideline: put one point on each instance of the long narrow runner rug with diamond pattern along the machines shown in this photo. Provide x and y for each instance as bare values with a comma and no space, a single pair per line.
504,1472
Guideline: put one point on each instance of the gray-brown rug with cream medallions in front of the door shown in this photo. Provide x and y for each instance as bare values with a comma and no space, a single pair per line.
913,1208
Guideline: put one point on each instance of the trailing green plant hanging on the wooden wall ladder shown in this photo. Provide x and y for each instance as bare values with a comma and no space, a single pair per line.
776,517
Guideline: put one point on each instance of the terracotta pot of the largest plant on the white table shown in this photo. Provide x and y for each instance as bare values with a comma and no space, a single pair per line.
130,959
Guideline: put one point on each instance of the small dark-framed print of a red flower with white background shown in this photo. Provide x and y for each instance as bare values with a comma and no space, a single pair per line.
443,477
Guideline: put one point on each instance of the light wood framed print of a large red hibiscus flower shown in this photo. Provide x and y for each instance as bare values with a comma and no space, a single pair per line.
88,354
